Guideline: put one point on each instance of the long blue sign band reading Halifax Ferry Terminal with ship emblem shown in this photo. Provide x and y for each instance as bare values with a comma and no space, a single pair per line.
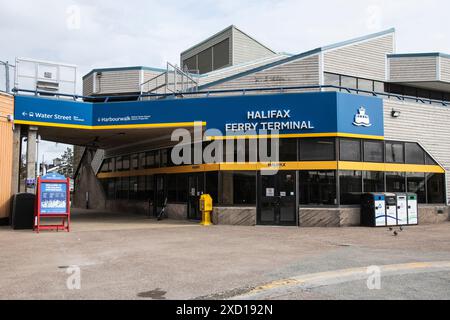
293,114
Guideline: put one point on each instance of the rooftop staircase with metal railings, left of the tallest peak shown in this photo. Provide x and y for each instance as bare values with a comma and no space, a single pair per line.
172,81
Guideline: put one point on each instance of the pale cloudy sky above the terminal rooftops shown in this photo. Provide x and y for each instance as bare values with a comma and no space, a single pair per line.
108,33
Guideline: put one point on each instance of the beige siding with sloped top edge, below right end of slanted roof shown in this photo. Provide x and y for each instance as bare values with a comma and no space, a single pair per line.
364,59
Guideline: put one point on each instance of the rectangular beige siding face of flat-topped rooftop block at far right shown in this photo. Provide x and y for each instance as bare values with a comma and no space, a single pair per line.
405,69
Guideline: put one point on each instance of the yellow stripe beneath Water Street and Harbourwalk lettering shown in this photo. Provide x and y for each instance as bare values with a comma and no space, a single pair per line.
111,127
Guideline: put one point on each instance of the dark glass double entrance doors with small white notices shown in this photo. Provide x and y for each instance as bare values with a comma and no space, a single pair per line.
277,201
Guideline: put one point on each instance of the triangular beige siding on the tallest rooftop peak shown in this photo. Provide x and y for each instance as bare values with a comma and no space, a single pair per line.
246,49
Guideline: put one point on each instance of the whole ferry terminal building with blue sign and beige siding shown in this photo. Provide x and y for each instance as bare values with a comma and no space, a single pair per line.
350,118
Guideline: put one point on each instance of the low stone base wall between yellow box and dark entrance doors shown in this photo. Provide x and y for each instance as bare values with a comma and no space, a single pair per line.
234,216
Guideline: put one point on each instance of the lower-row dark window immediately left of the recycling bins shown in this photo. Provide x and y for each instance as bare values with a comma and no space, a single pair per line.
351,187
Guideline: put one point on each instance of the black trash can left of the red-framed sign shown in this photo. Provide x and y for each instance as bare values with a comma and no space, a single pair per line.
22,211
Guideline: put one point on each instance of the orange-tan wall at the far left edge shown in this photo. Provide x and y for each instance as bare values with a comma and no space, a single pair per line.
6,152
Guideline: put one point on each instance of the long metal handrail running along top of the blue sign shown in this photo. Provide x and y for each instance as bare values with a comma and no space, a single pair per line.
209,93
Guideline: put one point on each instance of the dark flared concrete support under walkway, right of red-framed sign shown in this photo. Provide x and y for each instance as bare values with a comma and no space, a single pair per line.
86,181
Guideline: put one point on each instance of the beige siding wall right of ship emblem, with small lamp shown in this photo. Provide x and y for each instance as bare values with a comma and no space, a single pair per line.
421,123
